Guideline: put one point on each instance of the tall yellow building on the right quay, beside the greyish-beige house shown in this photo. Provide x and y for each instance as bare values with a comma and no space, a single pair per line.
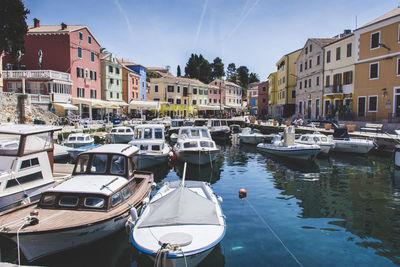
286,84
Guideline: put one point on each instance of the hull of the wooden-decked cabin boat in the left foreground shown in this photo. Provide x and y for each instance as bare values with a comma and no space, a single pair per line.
51,242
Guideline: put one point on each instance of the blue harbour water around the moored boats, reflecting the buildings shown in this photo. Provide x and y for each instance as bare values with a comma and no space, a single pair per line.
341,211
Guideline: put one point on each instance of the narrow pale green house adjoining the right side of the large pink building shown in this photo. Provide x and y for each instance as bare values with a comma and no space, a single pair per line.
111,78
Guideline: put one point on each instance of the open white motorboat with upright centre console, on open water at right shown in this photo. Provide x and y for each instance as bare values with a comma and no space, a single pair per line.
288,149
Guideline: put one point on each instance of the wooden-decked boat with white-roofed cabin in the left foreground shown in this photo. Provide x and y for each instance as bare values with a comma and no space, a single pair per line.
93,204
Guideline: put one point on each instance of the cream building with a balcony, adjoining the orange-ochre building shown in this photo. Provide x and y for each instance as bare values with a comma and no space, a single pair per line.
339,77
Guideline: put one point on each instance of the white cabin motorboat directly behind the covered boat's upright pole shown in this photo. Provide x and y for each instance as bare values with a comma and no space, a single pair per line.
194,145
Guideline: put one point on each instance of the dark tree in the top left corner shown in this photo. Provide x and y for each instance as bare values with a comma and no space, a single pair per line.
13,26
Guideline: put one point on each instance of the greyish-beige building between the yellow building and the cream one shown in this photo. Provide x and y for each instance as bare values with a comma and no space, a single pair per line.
310,73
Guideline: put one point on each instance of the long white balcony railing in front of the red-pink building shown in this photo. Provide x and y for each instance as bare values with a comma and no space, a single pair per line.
36,74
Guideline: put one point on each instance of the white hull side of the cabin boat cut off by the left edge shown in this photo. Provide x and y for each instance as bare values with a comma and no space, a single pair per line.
15,199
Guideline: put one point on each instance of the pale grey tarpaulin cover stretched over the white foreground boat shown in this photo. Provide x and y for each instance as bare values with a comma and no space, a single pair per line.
180,207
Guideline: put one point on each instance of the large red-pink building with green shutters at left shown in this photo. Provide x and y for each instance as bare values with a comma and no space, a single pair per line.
65,48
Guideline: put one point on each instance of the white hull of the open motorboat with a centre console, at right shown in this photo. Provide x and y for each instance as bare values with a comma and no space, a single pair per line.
306,154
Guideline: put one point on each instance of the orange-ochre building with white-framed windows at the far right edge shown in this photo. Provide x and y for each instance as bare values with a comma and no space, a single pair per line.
377,68
